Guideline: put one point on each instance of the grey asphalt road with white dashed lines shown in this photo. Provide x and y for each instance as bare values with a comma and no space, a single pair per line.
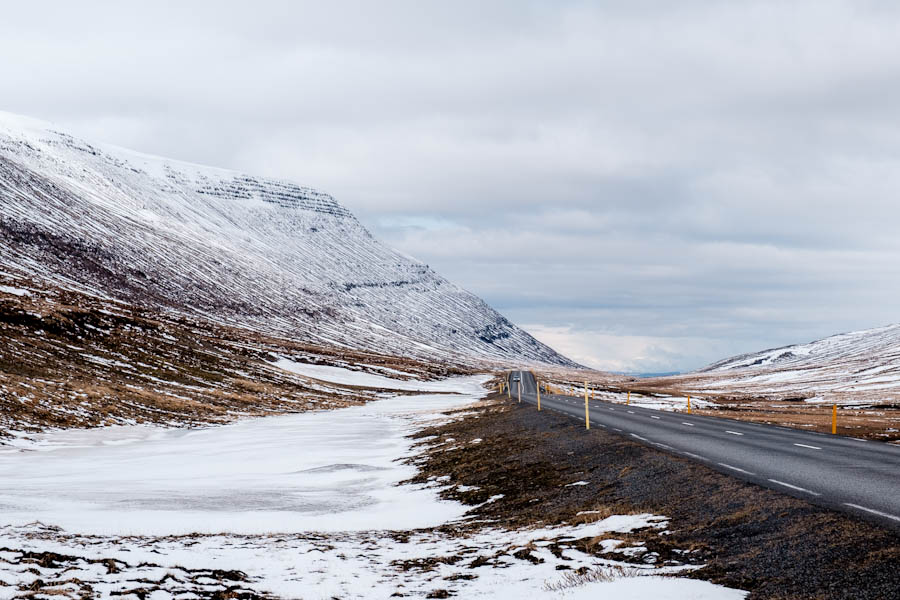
852,475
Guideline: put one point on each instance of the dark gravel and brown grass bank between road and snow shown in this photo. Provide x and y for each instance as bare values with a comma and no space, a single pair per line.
748,537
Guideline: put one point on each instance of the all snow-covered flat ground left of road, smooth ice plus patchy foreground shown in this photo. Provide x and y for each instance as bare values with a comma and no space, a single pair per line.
300,506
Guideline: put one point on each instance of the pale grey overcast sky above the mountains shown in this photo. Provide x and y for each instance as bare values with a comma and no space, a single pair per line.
646,186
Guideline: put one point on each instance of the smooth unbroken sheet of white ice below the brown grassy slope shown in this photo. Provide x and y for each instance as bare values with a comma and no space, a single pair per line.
315,471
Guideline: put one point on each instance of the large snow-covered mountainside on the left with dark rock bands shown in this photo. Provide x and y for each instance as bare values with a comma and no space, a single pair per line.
265,254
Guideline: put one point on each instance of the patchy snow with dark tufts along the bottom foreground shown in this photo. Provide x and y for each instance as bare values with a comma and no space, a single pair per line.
372,564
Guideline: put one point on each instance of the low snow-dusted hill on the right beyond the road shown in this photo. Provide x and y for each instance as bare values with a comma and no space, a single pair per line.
857,366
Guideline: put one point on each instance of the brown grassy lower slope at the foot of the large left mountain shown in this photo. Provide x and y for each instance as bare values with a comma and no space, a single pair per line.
71,360
